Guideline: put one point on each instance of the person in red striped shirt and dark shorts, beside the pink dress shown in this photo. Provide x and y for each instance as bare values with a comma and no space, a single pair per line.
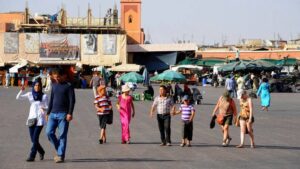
103,107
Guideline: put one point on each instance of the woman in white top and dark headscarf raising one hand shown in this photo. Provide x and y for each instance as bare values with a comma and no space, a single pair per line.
36,118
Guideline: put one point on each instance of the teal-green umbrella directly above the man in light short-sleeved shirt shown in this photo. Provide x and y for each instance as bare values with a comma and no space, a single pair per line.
170,75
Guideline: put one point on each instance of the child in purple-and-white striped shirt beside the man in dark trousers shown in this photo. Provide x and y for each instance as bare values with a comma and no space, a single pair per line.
187,112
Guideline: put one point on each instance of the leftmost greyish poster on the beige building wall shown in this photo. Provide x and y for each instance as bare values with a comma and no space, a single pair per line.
11,43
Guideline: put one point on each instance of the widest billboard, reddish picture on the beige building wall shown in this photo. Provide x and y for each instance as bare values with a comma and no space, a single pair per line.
59,46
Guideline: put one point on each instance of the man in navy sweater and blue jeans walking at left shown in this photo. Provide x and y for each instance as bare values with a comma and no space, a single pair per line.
60,113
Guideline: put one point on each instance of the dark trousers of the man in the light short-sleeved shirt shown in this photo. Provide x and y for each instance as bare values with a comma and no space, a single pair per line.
164,125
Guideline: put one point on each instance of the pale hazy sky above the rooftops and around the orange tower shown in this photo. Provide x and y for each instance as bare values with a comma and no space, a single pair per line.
200,21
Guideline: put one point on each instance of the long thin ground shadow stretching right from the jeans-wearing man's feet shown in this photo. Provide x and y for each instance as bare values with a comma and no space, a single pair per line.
119,160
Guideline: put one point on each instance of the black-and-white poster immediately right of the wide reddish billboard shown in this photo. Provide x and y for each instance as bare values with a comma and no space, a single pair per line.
90,44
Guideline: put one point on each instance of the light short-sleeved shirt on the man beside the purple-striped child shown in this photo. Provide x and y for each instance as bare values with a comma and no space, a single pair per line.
163,104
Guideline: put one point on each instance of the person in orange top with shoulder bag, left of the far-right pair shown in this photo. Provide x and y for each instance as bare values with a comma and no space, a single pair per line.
227,110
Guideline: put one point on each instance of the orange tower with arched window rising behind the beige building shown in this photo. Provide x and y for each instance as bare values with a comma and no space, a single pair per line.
131,21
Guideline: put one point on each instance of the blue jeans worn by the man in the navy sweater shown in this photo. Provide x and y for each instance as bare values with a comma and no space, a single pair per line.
58,120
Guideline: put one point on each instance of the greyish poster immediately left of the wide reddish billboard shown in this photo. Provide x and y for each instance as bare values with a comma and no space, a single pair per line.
32,43
